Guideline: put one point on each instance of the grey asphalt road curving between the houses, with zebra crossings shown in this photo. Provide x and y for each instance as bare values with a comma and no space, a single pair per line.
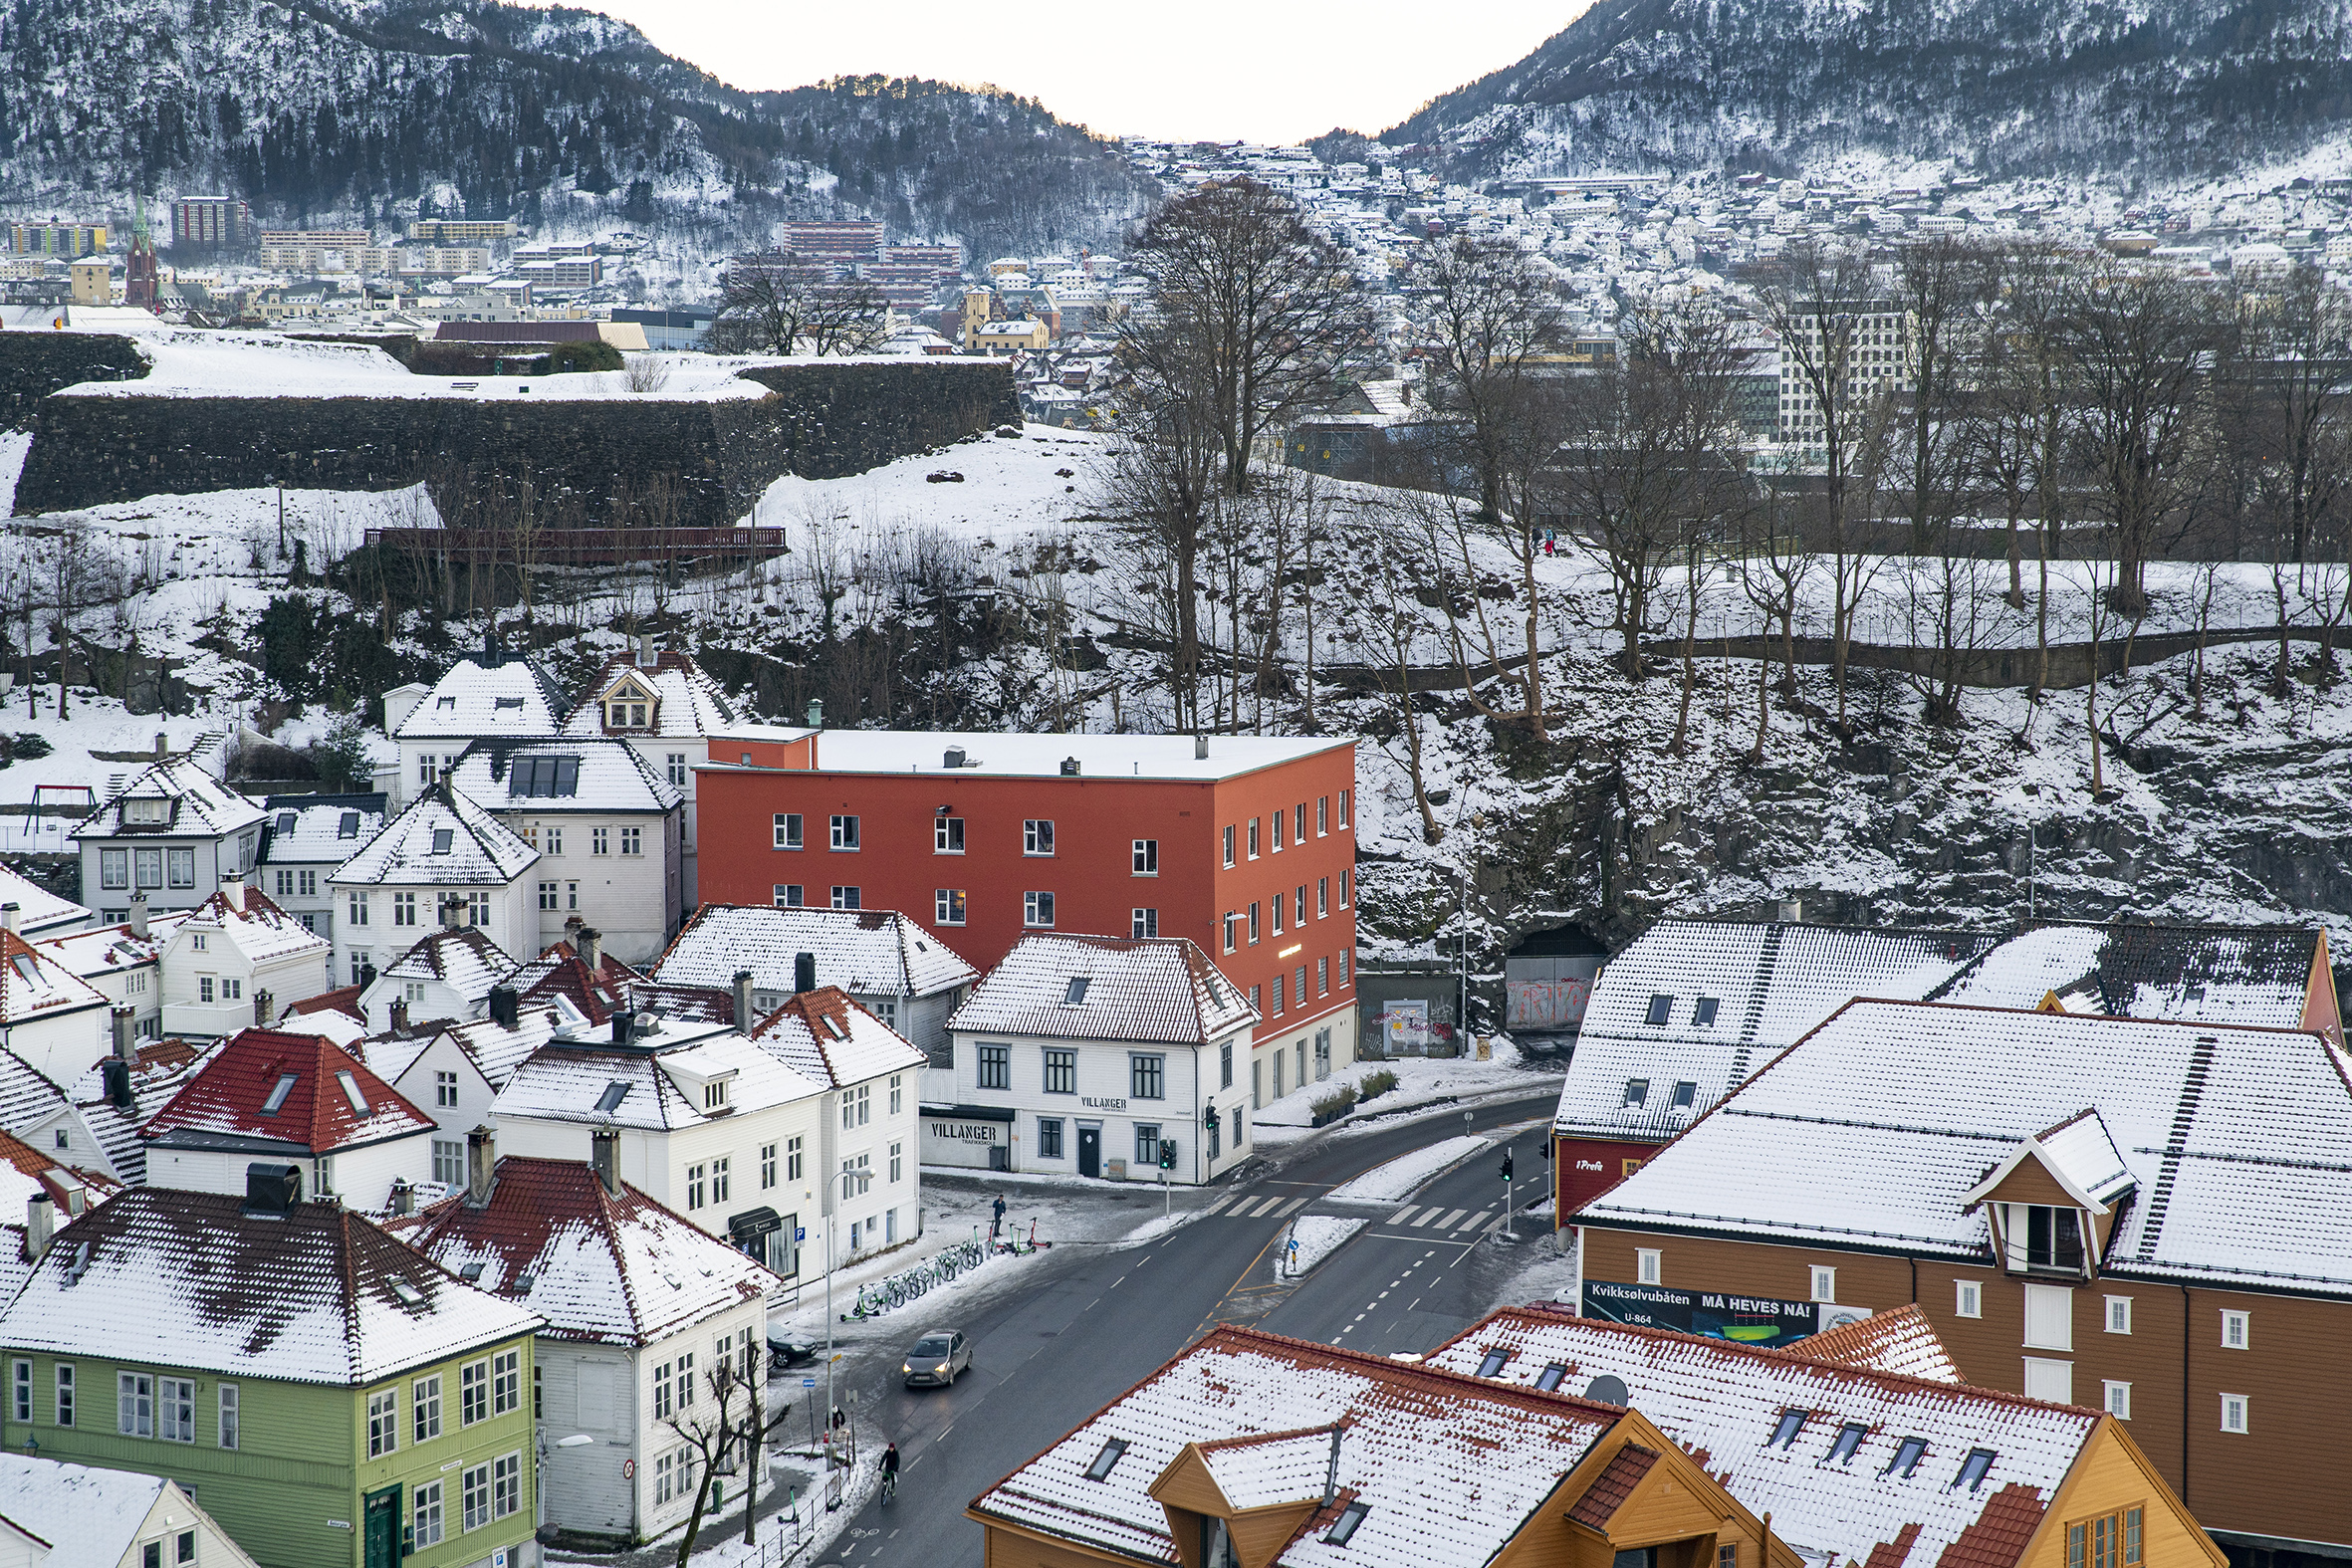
1097,1320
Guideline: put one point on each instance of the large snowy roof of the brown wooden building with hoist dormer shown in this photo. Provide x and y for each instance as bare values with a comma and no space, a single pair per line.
2243,1139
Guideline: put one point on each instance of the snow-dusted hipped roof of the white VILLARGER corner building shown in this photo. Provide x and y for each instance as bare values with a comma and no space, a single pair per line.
1161,991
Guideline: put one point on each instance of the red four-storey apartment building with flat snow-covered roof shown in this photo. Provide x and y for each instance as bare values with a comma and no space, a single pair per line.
1241,843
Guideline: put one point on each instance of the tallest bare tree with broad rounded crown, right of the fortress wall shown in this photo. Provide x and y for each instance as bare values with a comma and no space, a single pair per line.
1250,316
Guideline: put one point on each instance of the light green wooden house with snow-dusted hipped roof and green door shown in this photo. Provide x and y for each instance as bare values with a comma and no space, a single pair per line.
326,1393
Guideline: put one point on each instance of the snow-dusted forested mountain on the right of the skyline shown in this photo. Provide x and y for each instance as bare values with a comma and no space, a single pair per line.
2139,88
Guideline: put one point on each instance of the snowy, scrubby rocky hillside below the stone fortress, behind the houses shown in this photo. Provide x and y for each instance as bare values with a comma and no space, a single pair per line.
998,598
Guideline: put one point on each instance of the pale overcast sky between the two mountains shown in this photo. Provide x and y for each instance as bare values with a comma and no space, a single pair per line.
1205,69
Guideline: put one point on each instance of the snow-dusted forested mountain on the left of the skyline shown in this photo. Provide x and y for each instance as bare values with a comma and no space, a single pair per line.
352,109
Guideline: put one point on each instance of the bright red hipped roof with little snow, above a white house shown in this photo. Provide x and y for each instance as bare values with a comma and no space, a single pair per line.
232,1092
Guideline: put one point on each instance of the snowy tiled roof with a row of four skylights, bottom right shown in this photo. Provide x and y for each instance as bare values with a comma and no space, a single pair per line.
1728,1400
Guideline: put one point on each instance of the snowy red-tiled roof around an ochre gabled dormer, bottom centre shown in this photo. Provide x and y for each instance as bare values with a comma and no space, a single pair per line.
1450,1466
